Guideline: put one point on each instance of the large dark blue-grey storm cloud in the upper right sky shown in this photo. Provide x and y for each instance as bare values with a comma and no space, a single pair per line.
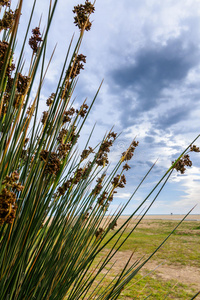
156,68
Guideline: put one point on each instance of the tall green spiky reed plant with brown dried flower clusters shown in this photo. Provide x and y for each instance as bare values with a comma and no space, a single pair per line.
53,199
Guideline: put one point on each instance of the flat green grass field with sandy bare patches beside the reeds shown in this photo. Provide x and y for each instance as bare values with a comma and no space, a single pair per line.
174,271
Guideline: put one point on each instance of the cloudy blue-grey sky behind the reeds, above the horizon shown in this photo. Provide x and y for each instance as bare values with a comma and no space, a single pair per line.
148,53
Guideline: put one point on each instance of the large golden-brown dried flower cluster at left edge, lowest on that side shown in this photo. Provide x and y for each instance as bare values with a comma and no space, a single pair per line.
8,198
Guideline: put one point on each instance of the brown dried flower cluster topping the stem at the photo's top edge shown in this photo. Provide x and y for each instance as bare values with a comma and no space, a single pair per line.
83,11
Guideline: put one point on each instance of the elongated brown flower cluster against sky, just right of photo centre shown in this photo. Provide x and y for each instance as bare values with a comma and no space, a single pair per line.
102,157
